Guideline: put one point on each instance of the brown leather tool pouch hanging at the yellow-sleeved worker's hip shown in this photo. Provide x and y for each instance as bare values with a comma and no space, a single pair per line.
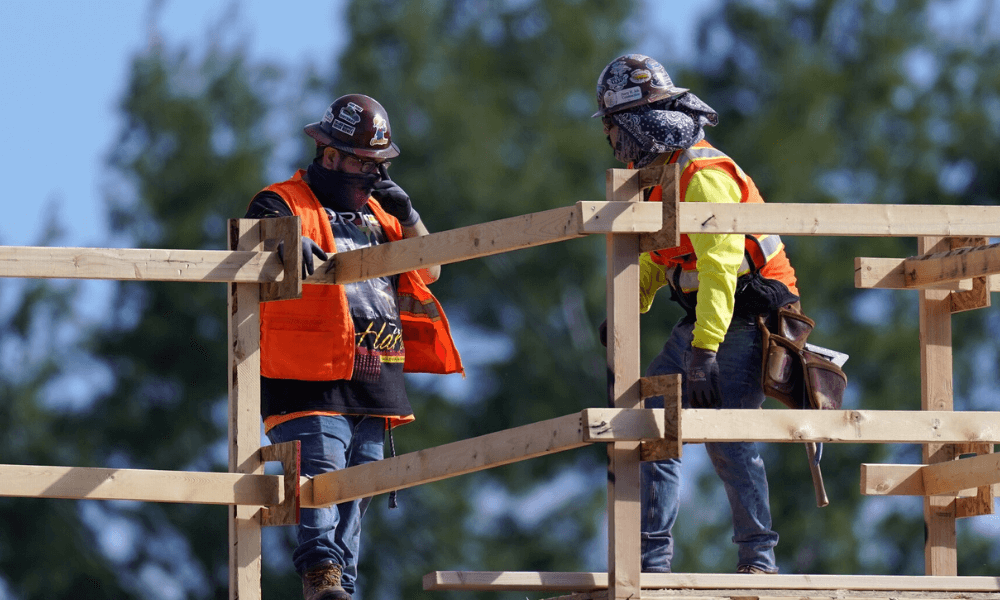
791,374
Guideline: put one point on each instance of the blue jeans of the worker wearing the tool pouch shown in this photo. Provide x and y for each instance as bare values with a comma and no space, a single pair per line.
738,464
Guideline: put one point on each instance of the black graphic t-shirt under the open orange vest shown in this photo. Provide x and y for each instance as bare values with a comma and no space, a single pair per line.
376,386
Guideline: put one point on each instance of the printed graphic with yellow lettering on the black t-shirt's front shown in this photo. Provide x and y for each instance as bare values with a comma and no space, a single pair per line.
373,305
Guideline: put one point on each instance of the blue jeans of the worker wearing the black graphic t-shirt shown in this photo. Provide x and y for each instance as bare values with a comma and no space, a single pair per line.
330,443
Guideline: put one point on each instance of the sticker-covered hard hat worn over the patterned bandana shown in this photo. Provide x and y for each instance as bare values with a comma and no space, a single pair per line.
633,80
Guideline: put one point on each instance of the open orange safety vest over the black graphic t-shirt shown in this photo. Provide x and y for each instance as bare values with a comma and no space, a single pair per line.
312,338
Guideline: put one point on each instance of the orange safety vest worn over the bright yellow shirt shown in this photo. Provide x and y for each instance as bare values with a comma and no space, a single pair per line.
768,252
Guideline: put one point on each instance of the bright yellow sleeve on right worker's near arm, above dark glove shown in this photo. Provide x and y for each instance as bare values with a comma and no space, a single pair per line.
719,259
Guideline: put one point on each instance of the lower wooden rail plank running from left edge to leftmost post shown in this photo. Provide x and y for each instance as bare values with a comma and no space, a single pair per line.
188,487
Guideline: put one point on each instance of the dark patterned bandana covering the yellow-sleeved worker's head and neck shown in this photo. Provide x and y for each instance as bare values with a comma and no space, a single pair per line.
646,131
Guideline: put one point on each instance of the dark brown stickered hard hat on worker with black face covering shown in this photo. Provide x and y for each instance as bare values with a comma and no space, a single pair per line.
357,124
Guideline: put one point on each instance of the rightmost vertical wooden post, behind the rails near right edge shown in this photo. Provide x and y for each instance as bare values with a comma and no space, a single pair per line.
940,554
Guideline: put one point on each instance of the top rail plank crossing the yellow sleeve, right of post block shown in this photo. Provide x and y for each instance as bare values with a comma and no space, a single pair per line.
893,220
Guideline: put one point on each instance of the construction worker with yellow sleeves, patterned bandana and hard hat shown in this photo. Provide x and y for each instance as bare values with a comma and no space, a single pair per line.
723,281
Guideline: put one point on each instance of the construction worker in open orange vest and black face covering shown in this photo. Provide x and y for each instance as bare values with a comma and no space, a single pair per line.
332,362
